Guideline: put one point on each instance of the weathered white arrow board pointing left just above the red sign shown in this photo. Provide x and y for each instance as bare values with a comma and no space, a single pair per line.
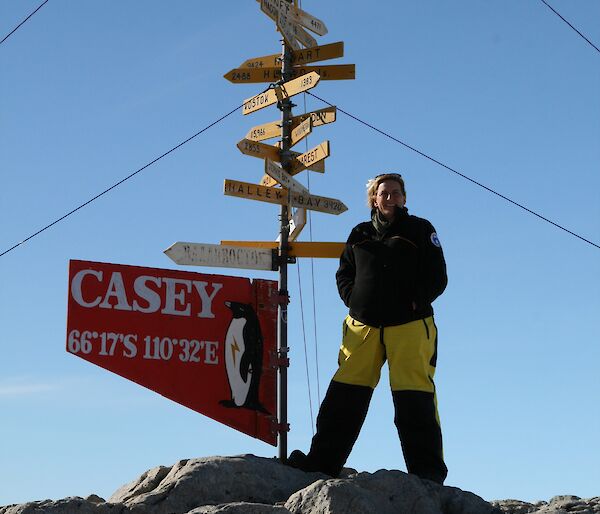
200,254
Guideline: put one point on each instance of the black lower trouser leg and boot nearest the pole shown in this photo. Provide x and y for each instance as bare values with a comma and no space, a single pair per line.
340,419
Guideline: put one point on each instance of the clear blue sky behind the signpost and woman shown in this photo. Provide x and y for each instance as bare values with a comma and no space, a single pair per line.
504,92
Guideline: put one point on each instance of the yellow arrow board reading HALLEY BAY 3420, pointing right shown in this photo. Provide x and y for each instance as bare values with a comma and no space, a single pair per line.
283,196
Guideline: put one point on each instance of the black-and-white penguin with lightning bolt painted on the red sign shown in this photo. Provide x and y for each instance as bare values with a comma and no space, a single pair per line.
243,357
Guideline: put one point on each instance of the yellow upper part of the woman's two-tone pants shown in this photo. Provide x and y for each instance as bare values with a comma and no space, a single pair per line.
410,350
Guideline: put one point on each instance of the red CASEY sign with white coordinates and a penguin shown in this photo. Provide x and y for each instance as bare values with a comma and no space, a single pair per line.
204,341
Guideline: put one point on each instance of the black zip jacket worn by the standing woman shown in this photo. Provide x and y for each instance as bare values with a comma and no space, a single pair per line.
381,276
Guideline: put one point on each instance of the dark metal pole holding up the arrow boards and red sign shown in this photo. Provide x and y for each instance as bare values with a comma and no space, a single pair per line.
286,115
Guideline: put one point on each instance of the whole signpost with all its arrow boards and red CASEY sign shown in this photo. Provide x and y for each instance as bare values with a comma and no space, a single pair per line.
214,343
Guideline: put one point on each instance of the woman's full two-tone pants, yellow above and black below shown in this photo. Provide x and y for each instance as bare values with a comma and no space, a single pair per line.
411,352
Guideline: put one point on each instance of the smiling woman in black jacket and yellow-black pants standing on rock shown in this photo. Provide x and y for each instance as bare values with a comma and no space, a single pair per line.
391,270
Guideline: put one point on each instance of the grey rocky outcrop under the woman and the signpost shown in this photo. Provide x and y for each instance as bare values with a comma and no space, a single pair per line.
256,485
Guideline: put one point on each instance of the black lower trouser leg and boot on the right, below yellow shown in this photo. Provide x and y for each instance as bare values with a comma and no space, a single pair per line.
420,434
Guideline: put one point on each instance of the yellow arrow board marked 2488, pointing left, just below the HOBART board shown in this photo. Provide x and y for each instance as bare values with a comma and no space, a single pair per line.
273,73
